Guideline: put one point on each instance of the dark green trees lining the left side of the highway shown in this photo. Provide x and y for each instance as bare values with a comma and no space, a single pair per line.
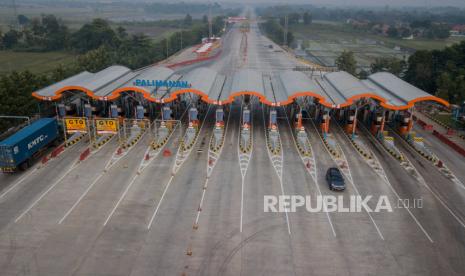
99,46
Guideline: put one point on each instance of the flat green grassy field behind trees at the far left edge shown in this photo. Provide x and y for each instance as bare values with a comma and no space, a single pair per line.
34,62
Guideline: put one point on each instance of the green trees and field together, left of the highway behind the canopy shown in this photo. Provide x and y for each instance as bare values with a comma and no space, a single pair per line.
95,46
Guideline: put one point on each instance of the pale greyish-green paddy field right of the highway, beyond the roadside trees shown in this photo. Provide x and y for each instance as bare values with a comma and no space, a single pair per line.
325,41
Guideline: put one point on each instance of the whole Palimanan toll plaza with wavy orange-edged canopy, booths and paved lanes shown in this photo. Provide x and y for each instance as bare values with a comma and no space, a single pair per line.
165,171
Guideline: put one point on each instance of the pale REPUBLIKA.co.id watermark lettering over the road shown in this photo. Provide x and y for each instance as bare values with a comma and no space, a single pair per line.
341,204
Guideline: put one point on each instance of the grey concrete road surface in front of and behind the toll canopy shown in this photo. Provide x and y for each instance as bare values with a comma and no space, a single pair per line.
82,219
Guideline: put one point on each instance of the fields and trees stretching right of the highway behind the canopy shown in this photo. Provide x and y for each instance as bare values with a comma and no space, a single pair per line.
433,60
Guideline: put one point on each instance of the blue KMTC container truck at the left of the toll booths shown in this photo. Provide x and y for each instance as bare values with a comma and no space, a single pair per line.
18,150
